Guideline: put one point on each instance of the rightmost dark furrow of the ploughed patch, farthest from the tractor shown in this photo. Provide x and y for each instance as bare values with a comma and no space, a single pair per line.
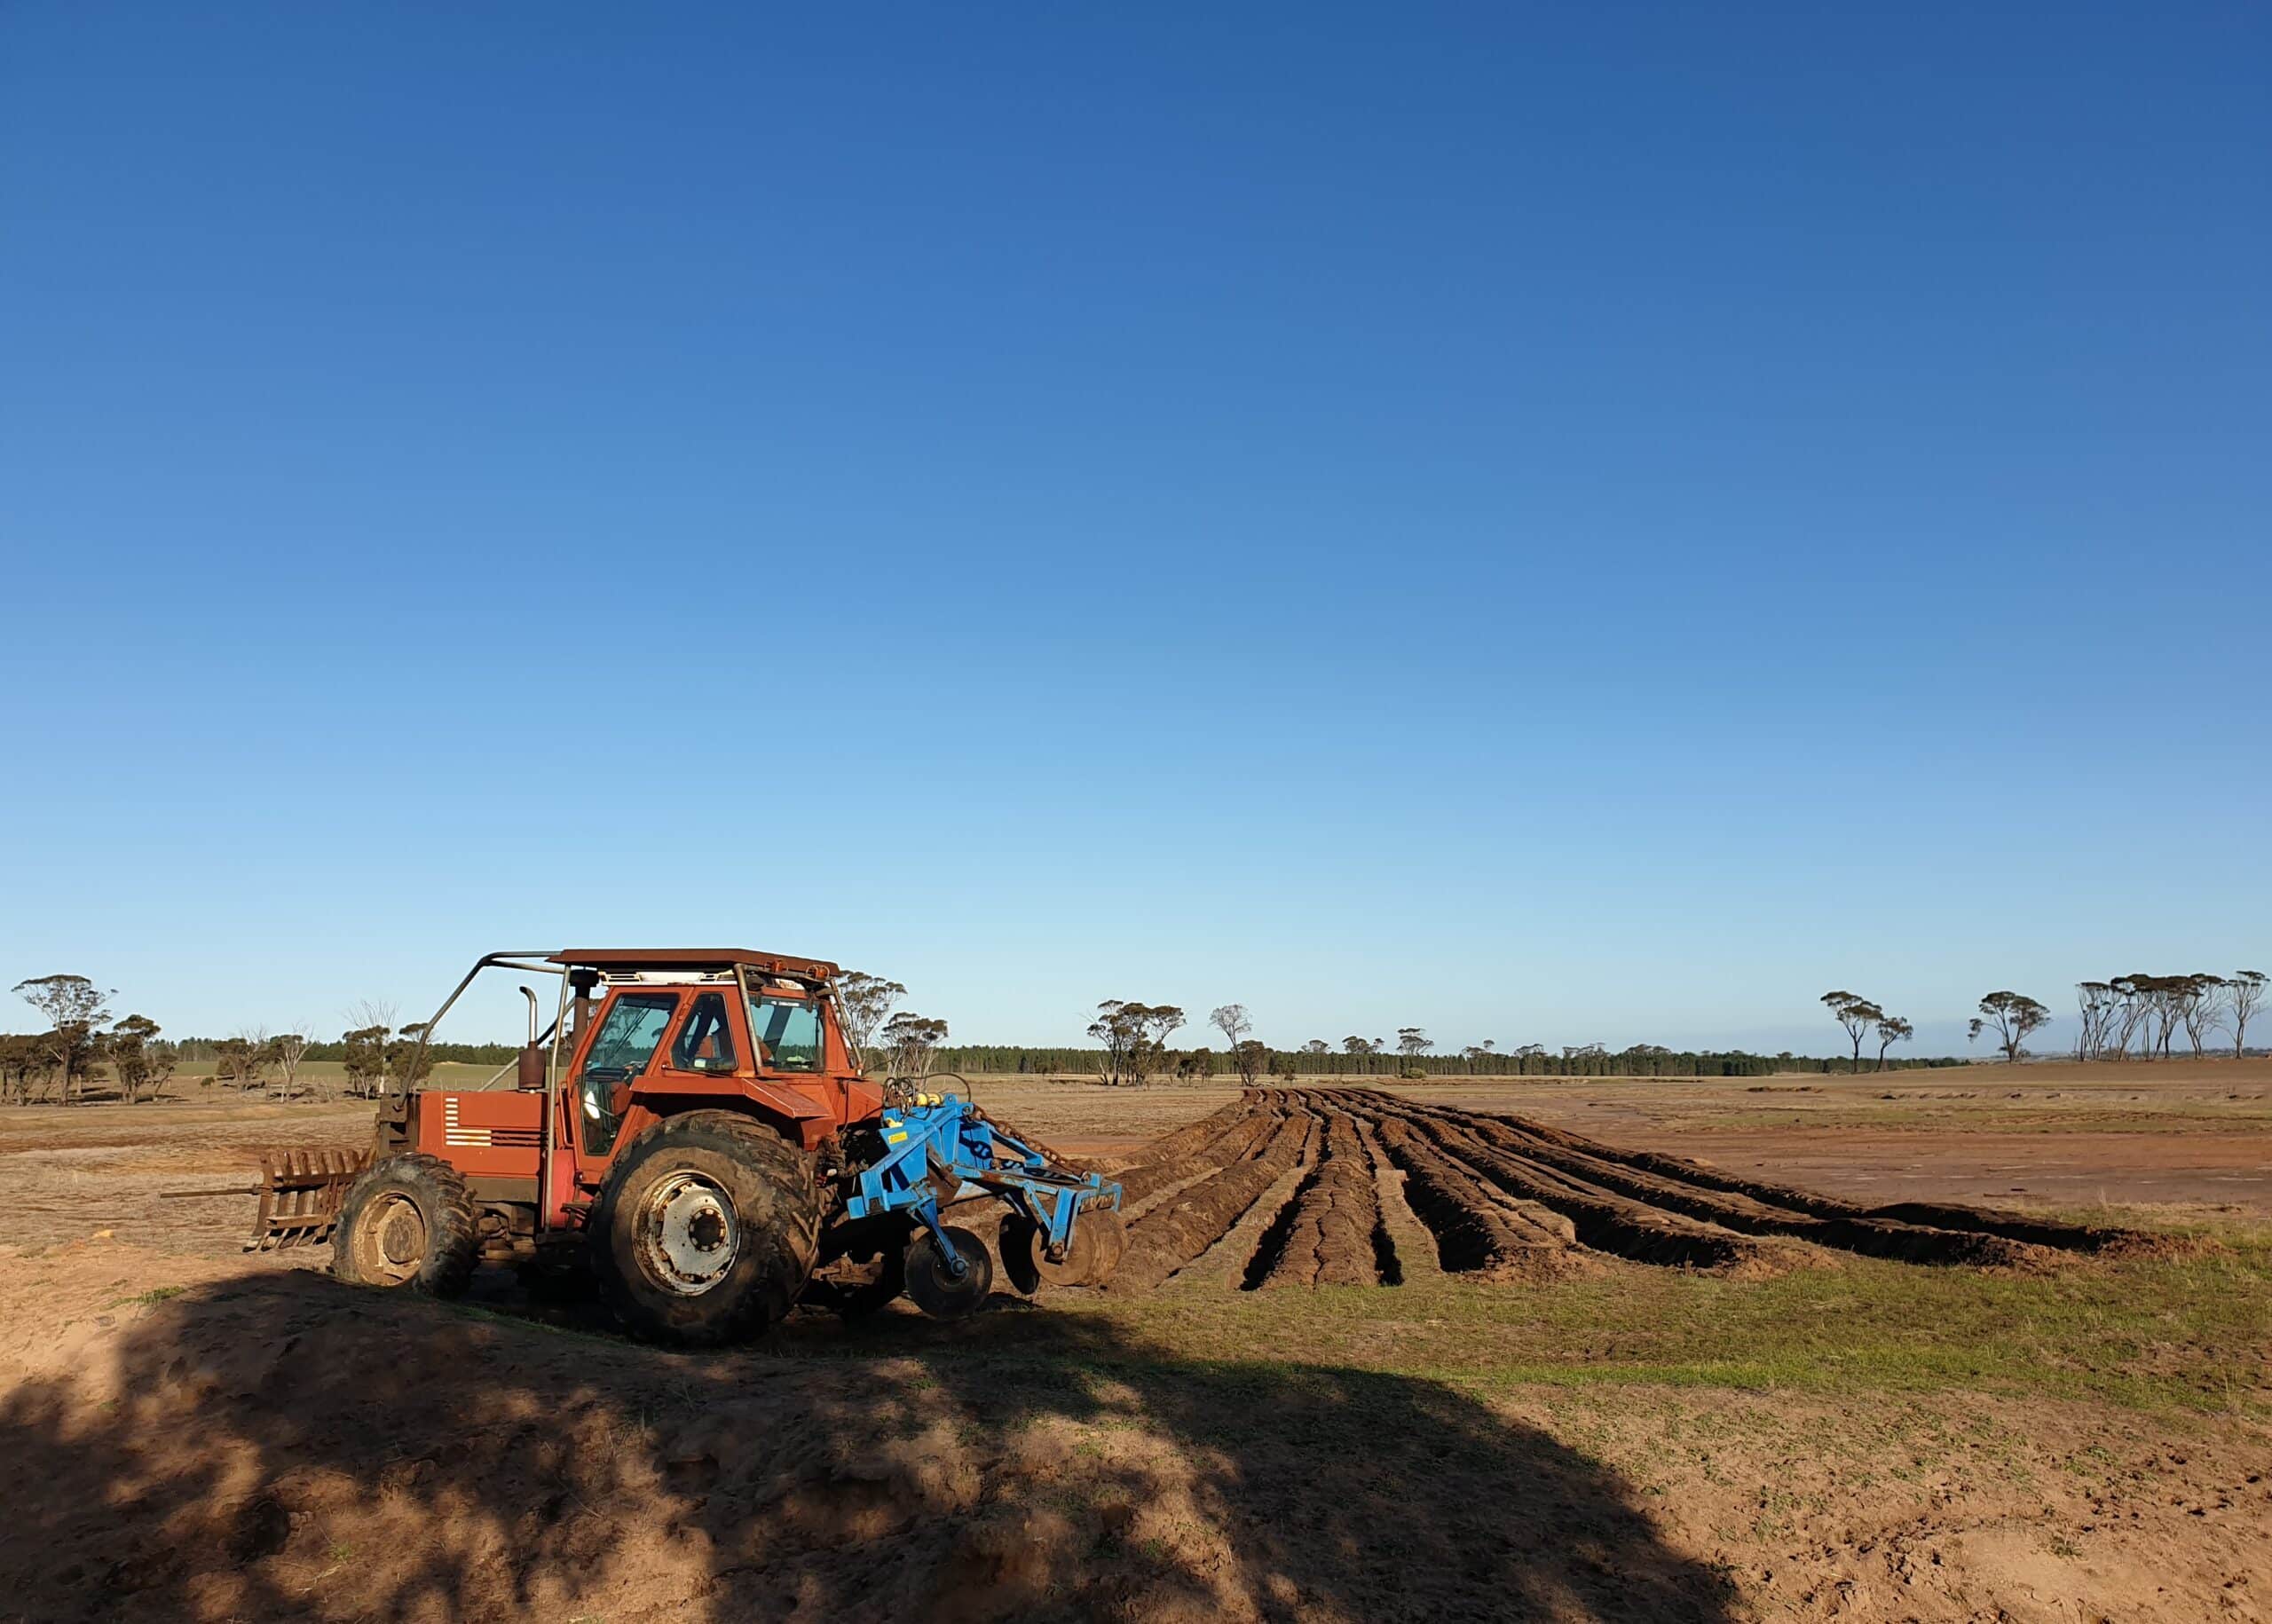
1941,1219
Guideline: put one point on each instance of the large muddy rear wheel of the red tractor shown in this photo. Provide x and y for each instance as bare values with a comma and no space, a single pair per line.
705,1230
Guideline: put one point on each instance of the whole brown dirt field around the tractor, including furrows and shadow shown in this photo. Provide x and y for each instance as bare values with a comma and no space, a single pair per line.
1476,1348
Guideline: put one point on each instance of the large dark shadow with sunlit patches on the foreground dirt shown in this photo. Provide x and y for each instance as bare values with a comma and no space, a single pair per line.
281,1446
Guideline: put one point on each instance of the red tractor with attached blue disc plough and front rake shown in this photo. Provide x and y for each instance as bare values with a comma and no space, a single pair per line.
696,1130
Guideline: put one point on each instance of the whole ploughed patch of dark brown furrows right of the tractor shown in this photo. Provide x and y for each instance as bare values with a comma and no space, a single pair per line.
1507,1198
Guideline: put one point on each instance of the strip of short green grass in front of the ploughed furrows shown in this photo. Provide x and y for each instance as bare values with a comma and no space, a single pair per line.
2146,1334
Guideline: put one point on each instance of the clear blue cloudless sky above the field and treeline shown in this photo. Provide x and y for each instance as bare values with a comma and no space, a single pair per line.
1551,526
